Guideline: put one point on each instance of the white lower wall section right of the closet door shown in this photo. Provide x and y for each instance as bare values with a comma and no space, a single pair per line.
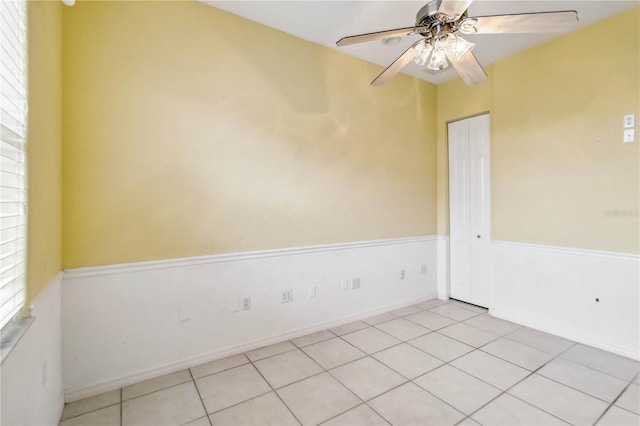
553,289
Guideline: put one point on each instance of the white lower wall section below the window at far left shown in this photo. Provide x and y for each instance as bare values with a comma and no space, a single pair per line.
32,373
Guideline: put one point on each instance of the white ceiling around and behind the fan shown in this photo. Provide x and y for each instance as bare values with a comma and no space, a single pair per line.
324,22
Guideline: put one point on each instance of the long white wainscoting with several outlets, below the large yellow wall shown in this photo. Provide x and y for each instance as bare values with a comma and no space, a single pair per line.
121,322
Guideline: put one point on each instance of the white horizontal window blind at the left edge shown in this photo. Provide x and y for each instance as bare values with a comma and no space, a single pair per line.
13,179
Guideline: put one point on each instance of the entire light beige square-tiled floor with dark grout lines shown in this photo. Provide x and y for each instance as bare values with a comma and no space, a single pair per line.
436,363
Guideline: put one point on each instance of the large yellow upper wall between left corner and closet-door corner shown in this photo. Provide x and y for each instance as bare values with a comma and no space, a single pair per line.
189,131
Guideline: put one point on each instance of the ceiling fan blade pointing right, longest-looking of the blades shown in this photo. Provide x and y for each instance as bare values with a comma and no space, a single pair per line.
543,22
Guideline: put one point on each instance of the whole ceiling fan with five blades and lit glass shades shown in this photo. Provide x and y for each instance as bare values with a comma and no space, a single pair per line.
440,22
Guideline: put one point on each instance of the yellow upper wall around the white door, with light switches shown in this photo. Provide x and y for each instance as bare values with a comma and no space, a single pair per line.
558,161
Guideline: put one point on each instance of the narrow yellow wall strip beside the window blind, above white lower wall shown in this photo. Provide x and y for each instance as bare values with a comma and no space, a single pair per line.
44,144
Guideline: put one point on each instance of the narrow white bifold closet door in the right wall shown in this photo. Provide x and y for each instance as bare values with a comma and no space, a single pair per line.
469,207
